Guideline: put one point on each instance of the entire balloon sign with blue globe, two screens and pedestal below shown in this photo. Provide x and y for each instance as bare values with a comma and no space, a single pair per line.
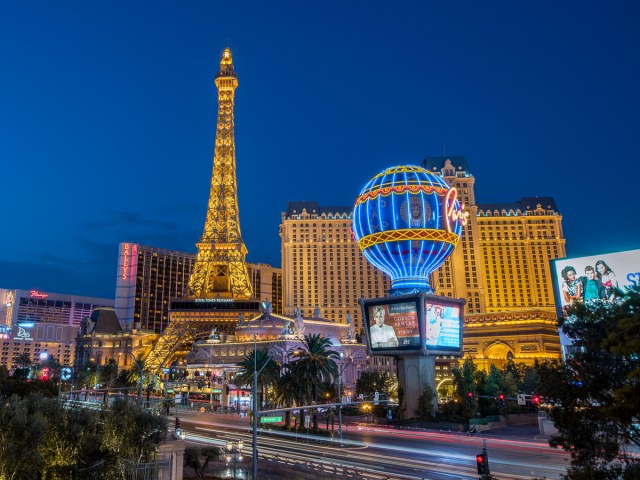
407,221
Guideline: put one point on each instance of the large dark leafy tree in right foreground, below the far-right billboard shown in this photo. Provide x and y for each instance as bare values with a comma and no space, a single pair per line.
596,392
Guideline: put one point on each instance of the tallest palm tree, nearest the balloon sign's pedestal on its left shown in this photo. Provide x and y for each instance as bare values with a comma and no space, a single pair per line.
316,364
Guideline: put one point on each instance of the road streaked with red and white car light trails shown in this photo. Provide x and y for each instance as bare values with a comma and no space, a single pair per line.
379,452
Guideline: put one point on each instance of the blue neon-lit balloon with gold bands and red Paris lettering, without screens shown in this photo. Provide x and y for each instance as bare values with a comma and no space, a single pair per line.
406,222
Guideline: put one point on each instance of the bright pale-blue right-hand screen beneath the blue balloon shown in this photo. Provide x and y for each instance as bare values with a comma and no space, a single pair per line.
442,325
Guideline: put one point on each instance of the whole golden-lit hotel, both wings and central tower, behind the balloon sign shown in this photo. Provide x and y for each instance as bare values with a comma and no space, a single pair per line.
501,267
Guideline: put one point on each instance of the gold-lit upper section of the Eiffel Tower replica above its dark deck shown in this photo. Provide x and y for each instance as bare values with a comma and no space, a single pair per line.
220,269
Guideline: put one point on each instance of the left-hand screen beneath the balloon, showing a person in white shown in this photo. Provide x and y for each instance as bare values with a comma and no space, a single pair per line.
393,326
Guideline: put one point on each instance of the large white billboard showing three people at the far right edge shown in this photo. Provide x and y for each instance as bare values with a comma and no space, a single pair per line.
598,278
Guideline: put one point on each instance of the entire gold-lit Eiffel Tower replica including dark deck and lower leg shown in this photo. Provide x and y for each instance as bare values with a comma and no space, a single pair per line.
219,291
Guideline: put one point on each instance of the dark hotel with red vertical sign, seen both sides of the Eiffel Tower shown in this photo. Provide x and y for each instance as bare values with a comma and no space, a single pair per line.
149,278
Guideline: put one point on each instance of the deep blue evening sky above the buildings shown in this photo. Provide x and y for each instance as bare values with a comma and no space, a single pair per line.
108,110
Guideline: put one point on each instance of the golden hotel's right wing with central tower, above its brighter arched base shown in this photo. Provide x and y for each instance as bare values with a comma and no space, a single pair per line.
504,262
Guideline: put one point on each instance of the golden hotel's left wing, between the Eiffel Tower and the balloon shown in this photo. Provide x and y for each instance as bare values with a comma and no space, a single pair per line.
321,264
